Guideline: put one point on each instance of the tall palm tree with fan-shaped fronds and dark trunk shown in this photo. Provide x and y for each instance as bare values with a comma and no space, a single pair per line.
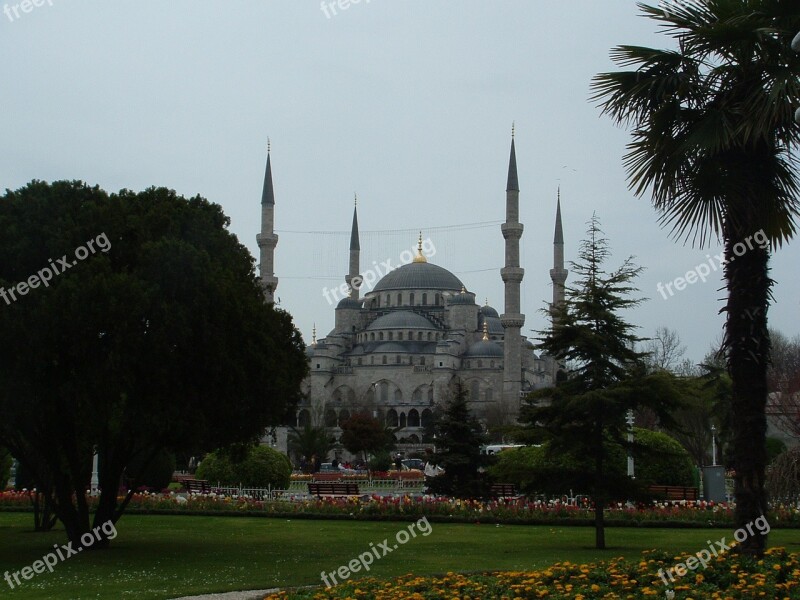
712,138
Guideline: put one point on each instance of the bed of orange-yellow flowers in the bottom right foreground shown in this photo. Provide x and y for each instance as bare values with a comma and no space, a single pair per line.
729,576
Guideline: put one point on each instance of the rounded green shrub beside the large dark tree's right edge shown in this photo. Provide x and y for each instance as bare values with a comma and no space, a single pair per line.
259,466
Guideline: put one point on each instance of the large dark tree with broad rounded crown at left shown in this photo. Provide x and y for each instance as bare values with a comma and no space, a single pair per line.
157,337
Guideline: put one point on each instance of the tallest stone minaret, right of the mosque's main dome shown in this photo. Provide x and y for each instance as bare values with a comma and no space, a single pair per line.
512,319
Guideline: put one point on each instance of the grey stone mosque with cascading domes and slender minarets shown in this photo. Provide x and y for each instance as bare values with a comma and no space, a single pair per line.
398,351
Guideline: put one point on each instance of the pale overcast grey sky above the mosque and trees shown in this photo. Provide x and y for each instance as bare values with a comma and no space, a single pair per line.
409,103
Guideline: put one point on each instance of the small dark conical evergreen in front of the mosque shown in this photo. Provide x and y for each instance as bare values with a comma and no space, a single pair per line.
459,437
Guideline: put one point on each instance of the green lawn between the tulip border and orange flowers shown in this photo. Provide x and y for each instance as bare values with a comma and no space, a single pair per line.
167,557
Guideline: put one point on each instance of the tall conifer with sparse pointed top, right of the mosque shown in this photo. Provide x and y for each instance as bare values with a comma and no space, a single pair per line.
605,379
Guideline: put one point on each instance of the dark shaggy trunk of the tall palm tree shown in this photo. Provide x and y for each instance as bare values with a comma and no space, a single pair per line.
747,343
